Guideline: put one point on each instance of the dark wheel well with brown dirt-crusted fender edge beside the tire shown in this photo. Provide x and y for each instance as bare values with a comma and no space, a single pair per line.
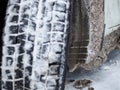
89,43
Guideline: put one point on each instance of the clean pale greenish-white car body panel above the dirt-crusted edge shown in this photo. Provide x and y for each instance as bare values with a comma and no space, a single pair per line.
112,15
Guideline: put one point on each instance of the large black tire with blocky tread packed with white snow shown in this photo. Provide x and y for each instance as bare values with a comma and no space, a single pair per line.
34,45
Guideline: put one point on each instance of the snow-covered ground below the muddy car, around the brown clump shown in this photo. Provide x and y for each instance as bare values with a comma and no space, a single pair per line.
106,77
